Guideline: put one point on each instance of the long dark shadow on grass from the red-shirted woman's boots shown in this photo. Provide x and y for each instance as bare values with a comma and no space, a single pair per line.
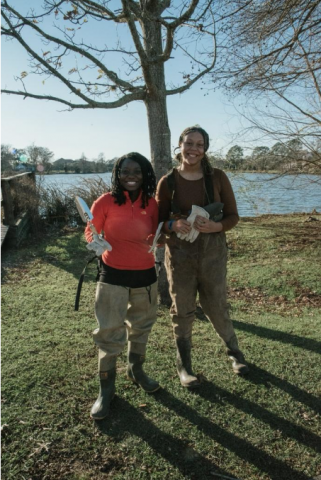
175,451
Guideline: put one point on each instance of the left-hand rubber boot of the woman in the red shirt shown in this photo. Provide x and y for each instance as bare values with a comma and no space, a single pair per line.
100,408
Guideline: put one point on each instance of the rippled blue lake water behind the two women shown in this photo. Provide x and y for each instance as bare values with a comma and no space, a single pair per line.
256,193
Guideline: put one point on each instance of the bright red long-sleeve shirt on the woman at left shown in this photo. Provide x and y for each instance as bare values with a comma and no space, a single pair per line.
126,227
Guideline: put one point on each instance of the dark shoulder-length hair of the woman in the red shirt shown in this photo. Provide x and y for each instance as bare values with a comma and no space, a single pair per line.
149,179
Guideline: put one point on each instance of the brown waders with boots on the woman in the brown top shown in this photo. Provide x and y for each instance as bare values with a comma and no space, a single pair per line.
200,267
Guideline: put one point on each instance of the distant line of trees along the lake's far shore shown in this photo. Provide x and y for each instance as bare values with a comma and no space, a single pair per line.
287,157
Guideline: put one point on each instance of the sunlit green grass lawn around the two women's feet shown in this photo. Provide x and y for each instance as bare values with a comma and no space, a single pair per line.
264,426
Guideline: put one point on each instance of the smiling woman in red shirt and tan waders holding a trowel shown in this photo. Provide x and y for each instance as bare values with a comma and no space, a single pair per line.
126,295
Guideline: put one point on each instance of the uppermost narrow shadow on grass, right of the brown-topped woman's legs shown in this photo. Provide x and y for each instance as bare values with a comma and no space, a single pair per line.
283,337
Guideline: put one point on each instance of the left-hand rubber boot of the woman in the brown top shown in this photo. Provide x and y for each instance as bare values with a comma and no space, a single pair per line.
184,363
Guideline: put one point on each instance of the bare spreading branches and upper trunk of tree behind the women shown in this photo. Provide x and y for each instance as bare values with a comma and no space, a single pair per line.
108,54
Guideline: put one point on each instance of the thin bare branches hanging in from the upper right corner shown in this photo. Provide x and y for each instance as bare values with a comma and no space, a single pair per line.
274,60
